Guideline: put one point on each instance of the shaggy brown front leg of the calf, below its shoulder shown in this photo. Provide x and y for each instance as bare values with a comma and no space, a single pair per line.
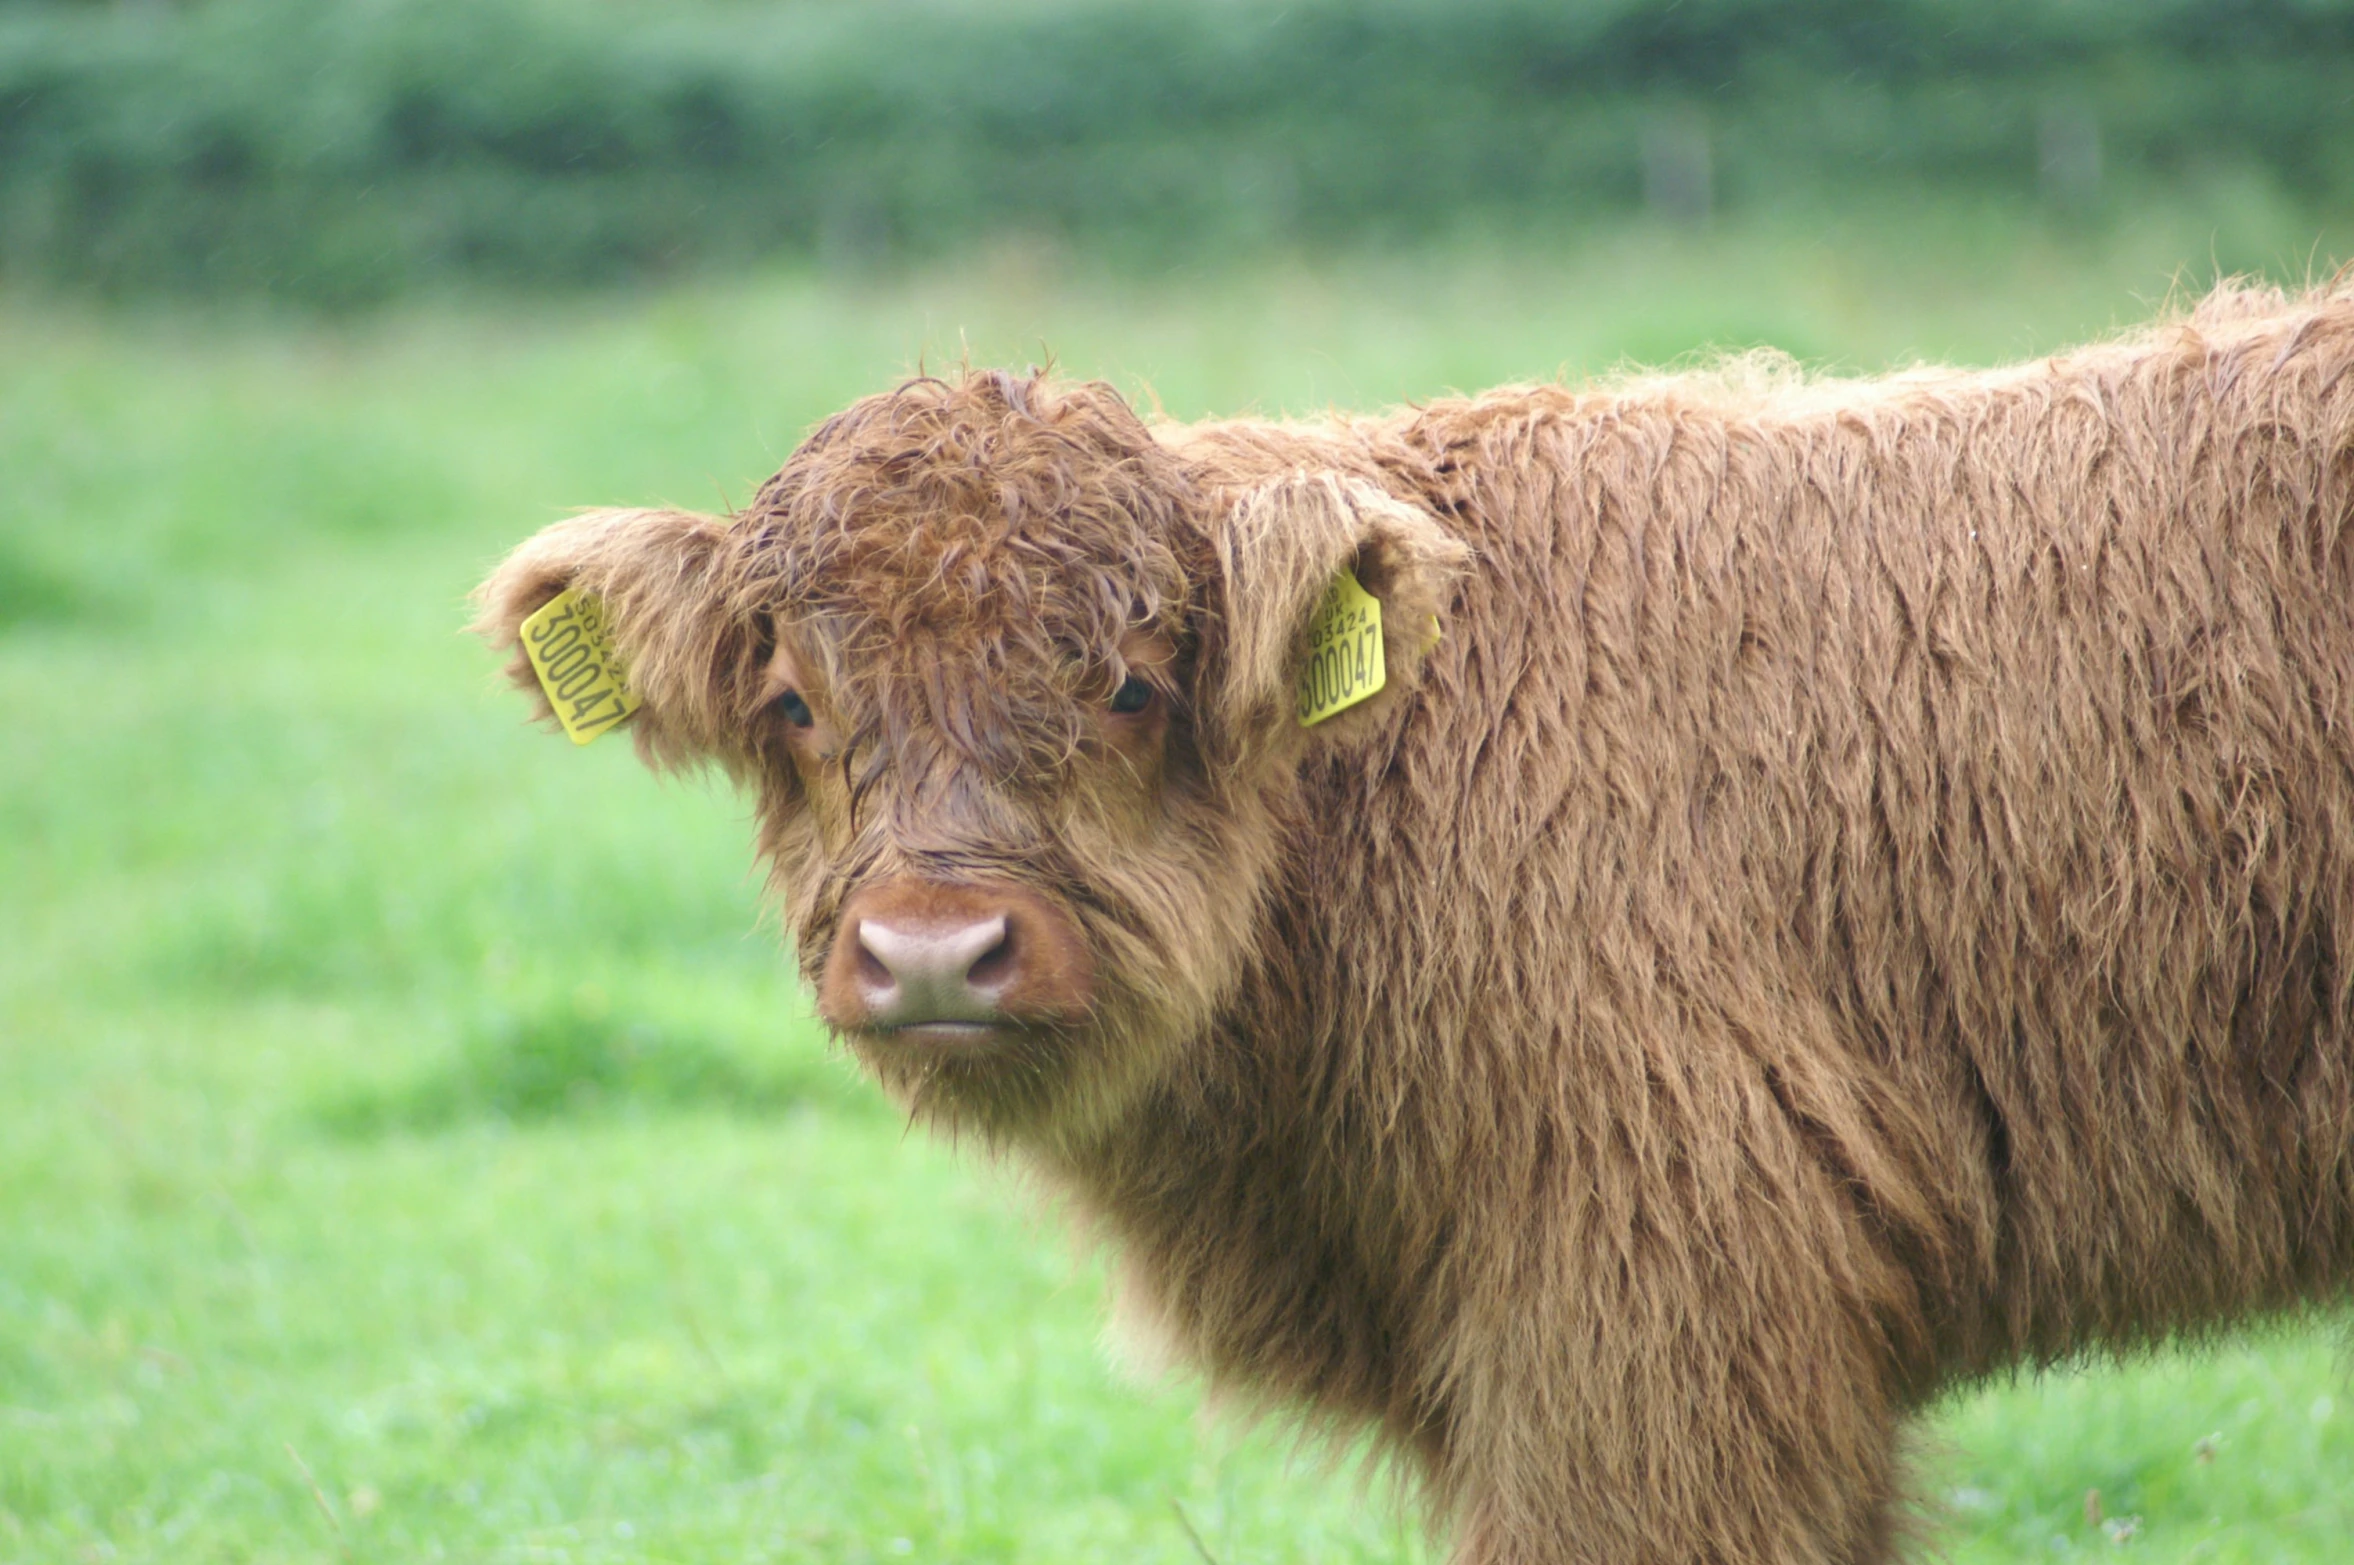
1675,1390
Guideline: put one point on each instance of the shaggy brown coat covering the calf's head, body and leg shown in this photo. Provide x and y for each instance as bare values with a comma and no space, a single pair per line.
1863,891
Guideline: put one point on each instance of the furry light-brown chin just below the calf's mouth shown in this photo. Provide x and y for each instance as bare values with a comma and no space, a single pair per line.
1039,1084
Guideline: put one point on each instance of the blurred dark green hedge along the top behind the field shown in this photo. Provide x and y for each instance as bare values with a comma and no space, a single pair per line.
347,149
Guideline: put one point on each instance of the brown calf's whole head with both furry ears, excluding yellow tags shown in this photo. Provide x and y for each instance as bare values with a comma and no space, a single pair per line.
1013,684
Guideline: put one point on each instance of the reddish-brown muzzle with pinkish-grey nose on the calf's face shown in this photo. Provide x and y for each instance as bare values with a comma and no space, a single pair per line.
952,964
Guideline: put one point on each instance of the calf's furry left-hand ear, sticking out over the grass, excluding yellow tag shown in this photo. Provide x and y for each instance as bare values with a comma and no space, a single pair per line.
663,580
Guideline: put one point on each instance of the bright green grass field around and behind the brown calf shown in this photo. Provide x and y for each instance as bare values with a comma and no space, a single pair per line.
411,1140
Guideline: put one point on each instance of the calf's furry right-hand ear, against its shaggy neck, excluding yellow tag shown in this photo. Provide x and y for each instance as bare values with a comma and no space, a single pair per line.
1282,550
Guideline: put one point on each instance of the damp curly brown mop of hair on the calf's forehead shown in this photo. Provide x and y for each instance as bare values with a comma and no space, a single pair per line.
973,547
